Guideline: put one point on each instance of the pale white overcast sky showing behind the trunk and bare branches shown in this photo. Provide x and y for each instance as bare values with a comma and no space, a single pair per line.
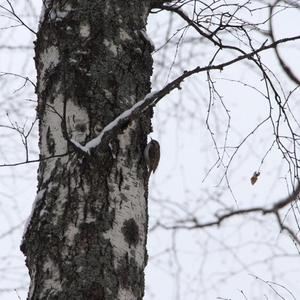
199,267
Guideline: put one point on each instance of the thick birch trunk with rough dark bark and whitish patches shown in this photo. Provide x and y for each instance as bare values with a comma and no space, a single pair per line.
86,237
